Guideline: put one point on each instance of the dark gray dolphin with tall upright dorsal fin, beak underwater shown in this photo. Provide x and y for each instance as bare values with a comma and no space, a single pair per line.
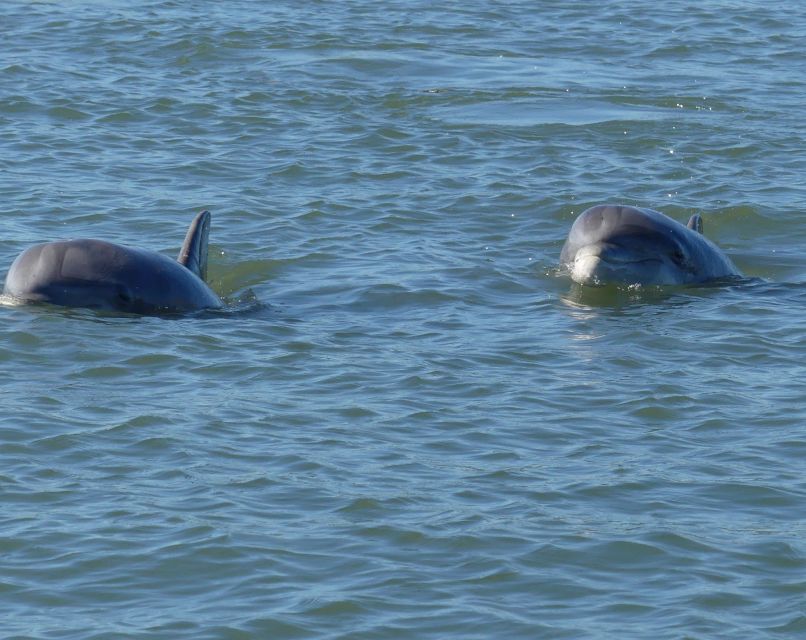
103,275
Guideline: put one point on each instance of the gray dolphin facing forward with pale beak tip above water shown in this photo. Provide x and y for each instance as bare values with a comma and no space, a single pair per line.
615,244
